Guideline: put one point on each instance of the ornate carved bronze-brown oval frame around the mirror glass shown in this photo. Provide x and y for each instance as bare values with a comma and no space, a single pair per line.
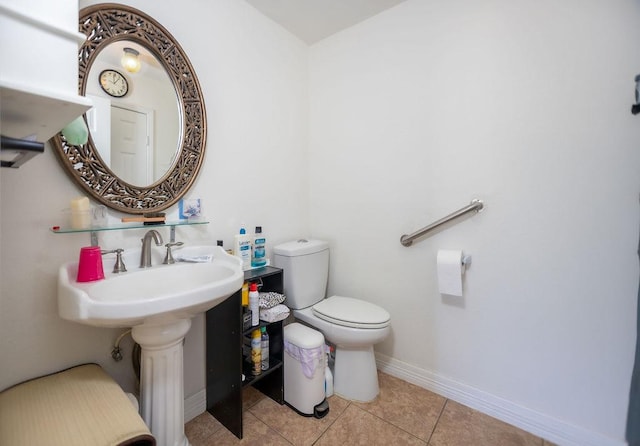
106,23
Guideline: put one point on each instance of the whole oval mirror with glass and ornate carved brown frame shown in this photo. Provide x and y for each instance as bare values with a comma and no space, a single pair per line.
105,167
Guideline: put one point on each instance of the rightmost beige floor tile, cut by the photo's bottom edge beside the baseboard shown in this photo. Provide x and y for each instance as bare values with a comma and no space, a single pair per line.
461,426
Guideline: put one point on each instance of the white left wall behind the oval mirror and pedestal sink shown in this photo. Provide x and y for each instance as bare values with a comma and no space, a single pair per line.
253,76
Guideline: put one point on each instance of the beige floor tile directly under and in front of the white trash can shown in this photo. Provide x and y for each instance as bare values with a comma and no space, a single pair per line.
297,429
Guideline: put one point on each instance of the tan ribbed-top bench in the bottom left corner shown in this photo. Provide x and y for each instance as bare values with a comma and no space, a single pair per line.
78,406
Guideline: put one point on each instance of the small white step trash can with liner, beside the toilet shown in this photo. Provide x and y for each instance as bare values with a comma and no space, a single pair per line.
304,365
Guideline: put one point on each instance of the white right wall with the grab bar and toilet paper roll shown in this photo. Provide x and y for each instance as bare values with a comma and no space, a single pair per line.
525,105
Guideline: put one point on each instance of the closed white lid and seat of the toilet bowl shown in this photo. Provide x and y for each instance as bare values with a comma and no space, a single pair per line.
351,312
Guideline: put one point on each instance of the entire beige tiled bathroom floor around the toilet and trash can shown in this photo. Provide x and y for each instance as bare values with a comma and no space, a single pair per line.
403,414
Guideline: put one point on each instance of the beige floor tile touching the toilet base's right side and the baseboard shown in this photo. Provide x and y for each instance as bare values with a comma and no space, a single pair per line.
411,408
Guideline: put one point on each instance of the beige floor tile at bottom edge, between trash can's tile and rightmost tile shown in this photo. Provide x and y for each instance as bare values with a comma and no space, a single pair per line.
358,427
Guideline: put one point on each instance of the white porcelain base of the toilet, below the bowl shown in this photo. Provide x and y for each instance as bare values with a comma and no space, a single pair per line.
356,374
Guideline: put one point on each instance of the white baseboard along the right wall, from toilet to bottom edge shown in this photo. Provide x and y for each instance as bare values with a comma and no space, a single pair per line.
551,429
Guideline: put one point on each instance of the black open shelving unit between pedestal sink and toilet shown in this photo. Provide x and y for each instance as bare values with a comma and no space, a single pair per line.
225,363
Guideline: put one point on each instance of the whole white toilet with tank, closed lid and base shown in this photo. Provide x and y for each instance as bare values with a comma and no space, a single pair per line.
353,325
